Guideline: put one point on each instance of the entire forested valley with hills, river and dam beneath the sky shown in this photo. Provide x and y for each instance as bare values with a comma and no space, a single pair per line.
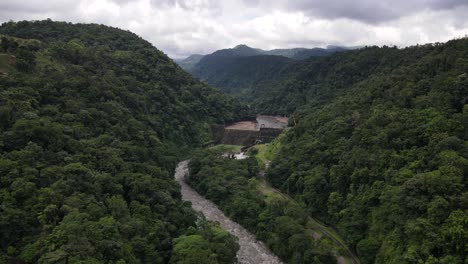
110,152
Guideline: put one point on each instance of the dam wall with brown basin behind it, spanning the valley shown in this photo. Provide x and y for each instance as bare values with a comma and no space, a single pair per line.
245,133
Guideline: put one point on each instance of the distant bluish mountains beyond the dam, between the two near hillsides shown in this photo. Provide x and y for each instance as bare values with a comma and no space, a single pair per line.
241,68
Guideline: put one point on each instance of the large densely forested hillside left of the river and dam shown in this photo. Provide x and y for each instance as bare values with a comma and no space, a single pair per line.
92,122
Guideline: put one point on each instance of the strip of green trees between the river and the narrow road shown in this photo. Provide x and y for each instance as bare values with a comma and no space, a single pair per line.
279,223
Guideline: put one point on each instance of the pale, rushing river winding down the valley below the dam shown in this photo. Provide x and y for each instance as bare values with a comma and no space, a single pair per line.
251,251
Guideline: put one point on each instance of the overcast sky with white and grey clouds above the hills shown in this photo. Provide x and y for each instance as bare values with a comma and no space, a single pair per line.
184,27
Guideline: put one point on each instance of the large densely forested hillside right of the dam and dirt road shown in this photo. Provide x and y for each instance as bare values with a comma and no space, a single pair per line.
379,148
